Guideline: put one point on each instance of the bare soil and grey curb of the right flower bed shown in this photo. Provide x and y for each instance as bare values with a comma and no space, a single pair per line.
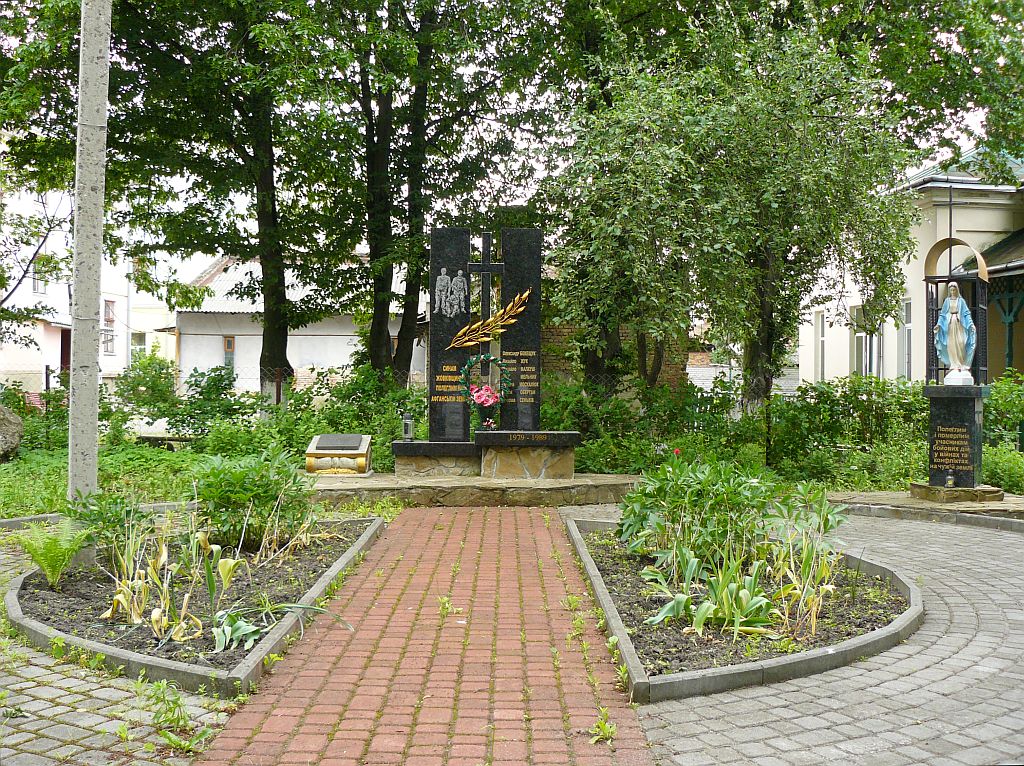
669,663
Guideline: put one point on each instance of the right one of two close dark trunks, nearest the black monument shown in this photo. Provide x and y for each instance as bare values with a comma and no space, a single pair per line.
417,198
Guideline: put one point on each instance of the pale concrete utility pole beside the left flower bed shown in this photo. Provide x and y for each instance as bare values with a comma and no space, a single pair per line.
91,173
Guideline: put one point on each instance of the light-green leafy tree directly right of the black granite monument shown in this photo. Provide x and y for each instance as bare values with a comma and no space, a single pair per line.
620,254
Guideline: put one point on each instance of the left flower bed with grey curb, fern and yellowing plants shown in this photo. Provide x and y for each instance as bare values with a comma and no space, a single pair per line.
186,591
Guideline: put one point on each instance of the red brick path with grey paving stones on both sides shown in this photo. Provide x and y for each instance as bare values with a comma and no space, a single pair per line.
503,677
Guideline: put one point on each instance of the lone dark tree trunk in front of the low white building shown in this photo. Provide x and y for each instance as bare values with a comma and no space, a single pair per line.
272,257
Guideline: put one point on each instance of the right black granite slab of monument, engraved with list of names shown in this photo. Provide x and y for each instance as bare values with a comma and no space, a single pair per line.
522,342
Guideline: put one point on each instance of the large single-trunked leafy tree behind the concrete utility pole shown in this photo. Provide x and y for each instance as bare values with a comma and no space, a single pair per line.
214,145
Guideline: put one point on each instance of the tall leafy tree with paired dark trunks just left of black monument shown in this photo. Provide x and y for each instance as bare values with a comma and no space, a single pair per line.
440,96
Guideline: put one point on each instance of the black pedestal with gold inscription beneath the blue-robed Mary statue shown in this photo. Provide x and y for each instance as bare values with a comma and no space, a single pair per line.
955,439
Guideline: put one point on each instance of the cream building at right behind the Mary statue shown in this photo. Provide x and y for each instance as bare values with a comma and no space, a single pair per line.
953,204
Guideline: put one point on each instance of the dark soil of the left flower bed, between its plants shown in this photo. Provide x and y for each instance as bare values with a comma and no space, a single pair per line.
87,593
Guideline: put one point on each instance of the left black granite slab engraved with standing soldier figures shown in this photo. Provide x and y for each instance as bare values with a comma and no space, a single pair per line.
450,313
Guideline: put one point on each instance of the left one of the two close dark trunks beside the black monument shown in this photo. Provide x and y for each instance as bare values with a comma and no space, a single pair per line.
379,230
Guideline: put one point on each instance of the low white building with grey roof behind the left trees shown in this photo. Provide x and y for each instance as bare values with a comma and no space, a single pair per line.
226,331
